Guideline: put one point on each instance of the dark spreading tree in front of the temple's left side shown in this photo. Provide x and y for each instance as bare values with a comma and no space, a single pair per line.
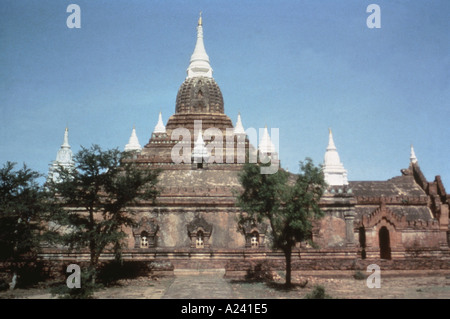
95,196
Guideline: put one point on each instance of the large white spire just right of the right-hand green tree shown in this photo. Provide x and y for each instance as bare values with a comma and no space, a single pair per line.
333,169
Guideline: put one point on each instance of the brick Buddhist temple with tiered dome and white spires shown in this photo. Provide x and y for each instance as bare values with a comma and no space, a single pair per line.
402,222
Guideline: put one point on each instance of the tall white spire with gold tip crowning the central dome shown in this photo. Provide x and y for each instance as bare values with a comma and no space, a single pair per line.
199,64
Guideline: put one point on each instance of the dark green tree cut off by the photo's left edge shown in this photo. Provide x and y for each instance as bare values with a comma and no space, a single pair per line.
23,206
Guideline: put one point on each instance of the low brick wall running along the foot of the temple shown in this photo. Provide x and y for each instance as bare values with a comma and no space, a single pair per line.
238,262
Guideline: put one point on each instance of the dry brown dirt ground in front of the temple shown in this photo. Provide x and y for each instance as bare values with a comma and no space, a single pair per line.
423,285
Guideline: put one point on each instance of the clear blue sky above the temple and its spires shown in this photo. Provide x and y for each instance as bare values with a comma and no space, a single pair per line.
300,66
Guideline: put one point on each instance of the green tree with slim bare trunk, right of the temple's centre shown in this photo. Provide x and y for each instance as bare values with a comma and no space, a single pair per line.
287,204
